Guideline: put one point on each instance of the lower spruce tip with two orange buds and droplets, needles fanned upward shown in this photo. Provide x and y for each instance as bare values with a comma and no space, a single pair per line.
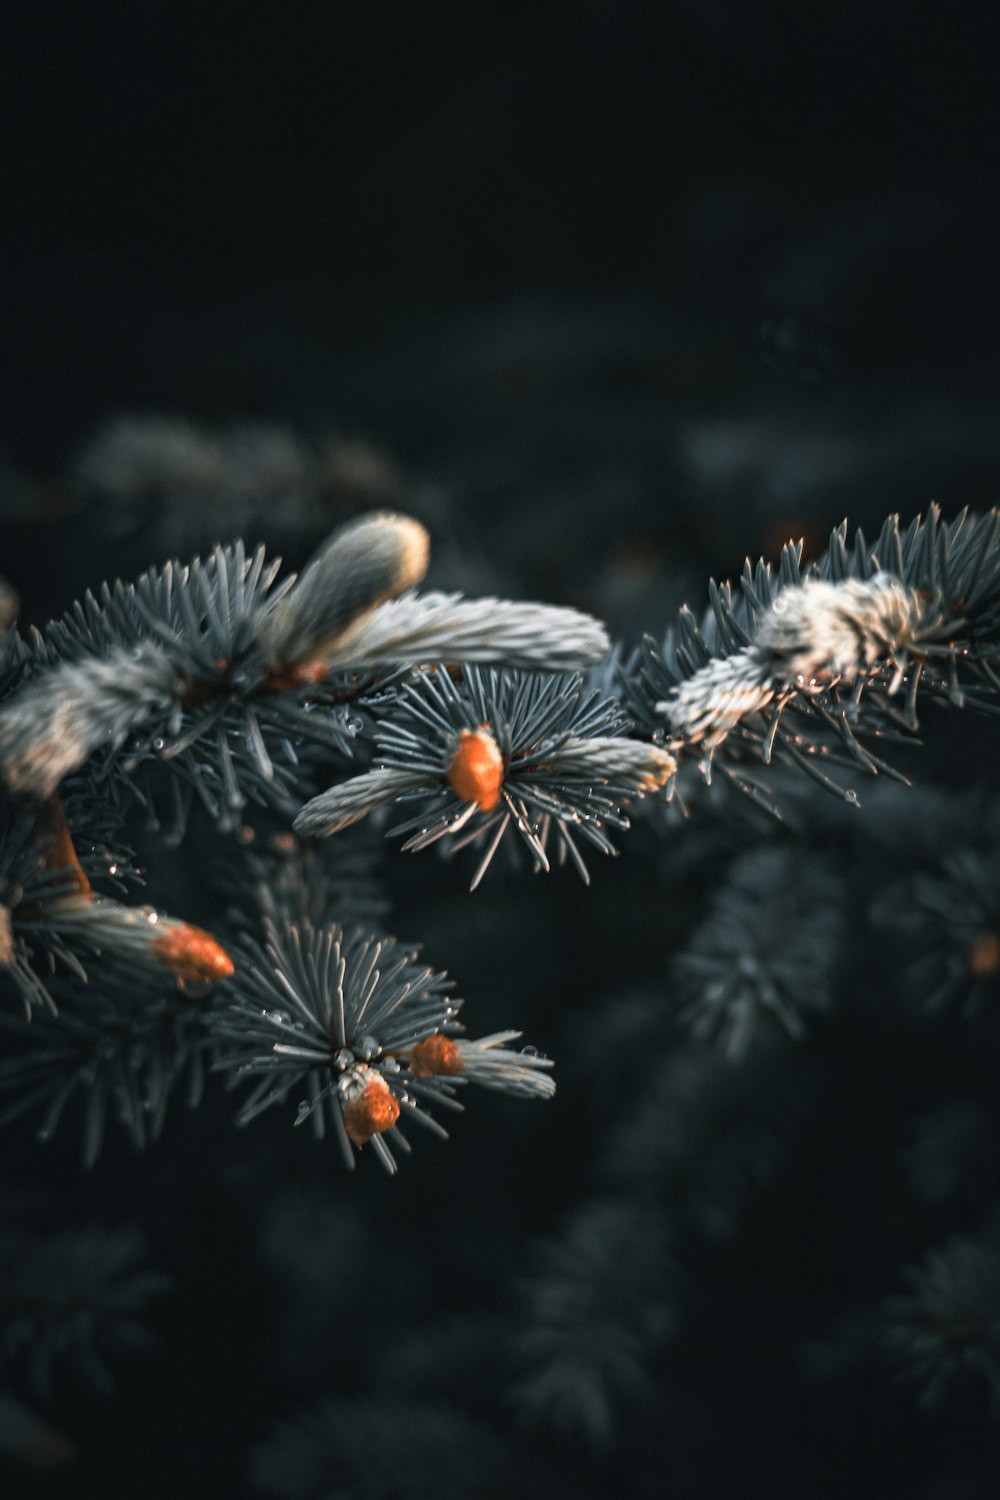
365,1030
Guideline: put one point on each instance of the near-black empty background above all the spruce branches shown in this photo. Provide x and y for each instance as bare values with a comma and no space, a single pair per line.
729,262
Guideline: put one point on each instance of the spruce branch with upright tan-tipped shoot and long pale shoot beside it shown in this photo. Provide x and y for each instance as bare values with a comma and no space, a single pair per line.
229,680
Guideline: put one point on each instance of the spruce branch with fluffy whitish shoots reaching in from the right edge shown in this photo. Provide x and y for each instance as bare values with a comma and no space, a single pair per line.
809,664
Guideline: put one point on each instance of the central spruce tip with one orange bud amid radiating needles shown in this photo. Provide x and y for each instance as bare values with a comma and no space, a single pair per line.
500,749
